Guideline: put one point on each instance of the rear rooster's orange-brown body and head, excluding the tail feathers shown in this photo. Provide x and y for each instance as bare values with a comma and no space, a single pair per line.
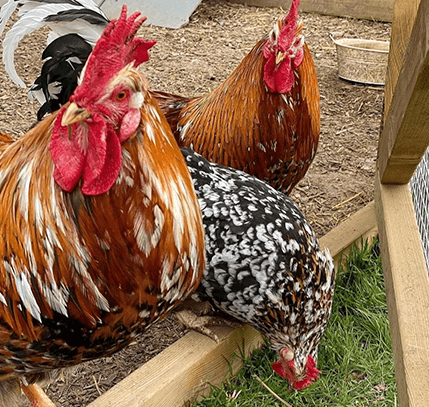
265,118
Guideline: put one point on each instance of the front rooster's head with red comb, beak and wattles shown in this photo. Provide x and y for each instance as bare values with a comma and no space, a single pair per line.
105,111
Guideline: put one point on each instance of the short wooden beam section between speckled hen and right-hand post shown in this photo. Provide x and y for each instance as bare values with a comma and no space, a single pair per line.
359,227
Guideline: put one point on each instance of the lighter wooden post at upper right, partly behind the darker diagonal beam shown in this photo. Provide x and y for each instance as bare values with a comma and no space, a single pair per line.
404,15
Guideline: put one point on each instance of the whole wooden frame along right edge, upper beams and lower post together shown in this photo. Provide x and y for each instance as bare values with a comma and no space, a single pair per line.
403,142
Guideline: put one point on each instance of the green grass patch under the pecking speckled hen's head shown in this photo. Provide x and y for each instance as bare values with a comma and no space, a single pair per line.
355,354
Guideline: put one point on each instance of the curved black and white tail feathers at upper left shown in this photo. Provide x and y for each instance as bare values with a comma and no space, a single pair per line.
64,58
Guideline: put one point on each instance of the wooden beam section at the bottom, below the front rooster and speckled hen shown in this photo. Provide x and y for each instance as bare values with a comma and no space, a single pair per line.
184,370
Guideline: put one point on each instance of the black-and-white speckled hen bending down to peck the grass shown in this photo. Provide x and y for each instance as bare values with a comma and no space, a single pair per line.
264,265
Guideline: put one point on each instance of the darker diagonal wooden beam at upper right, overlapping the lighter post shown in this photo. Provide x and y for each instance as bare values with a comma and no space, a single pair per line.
405,135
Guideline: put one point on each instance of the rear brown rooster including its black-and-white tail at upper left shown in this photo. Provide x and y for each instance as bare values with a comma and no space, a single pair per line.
264,119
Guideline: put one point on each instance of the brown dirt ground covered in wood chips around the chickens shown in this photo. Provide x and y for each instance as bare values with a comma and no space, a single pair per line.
192,61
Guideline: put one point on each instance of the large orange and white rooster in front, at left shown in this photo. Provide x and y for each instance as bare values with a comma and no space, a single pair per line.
101,233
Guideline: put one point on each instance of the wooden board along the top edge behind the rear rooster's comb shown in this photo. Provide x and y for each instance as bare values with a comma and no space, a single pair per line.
381,10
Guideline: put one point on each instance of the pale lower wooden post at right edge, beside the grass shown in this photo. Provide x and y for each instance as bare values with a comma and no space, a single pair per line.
407,286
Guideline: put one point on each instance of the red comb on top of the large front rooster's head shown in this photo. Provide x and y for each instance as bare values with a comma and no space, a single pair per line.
116,48
